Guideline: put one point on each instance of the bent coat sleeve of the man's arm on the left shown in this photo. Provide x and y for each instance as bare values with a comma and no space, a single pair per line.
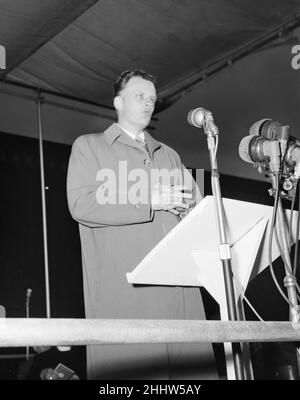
82,189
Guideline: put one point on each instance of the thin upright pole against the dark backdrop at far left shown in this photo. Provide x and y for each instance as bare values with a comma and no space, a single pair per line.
43,193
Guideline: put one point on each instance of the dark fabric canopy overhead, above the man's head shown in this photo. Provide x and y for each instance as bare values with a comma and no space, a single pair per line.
76,48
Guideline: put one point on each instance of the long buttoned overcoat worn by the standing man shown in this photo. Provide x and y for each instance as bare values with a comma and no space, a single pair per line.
114,239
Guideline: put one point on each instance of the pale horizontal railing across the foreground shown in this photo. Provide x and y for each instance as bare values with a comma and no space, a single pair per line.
17,332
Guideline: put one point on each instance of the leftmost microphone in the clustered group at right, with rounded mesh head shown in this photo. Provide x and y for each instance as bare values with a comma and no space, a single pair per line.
258,149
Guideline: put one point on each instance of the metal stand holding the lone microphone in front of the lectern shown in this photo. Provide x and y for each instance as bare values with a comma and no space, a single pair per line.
224,247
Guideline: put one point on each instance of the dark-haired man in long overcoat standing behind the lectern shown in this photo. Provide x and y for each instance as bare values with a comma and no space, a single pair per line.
117,232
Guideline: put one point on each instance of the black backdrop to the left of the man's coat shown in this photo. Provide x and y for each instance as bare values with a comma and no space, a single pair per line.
21,250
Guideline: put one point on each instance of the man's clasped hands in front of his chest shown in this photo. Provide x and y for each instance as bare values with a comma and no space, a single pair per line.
171,198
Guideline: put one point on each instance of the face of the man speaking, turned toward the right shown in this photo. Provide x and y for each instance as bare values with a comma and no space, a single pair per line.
135,103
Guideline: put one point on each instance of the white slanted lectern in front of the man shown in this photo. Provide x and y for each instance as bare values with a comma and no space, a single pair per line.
189,254
